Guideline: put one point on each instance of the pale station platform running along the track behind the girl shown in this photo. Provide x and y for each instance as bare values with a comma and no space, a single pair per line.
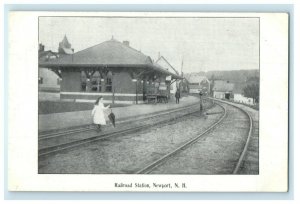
56,121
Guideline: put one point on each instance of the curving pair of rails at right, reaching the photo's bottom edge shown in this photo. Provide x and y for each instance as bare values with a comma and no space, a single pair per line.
159,162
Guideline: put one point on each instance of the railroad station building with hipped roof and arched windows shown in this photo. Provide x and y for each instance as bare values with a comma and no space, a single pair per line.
113,70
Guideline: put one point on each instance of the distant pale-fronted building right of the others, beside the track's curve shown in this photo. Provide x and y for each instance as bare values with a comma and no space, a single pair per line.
223,89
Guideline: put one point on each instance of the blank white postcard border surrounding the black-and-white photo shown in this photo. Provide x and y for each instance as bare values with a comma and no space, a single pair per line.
22,119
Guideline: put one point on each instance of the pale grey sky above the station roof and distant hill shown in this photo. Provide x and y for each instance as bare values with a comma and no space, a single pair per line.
202,44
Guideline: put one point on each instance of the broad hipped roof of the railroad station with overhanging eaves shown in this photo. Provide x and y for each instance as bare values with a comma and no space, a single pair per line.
111,53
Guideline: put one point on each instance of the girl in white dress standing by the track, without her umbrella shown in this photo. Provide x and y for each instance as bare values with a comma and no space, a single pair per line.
98,113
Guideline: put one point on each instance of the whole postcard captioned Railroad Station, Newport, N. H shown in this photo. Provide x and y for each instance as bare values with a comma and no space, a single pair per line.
148,101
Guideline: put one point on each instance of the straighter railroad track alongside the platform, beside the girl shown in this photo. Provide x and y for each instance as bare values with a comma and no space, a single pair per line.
56,142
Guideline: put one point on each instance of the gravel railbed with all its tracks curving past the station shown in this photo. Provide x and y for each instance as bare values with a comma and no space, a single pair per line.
217,142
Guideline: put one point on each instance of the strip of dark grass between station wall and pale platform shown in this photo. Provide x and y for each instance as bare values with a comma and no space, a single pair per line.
48,107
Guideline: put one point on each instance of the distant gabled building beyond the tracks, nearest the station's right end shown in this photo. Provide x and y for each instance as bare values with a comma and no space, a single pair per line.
198,83
